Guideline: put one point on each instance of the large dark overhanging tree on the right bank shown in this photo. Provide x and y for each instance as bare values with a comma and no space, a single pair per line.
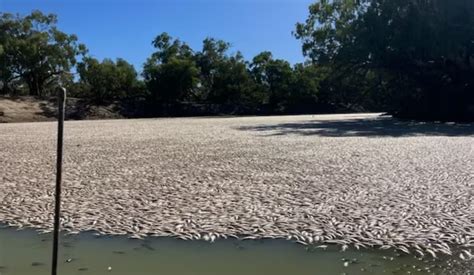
415,53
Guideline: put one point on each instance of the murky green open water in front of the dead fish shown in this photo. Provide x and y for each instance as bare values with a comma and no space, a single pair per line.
26,252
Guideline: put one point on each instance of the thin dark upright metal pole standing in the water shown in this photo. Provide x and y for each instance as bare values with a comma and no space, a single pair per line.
59,164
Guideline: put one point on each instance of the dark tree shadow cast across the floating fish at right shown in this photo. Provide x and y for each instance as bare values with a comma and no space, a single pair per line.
380,126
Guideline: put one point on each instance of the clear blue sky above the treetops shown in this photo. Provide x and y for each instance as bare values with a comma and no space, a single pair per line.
125,28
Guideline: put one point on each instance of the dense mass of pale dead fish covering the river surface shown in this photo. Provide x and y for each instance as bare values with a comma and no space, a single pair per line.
352,180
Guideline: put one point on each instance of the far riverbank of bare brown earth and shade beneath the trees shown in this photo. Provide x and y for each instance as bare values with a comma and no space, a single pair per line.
34,109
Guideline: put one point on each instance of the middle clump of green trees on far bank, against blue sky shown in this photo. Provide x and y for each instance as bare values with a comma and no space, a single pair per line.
175,73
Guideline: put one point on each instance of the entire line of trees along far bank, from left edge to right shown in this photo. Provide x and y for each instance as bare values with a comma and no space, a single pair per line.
412,58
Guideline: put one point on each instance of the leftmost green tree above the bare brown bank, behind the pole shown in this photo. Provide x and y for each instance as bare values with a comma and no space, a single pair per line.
34,51
